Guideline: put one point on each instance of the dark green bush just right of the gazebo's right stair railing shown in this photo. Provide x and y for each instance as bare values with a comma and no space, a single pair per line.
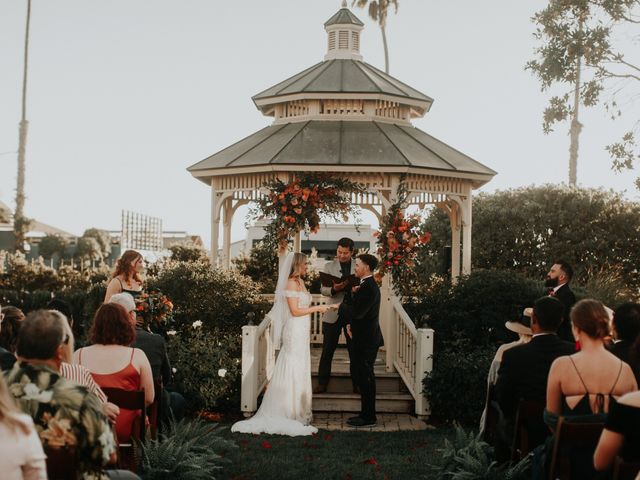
468,319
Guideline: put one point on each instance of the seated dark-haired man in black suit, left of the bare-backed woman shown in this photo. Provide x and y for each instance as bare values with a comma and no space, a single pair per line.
524,369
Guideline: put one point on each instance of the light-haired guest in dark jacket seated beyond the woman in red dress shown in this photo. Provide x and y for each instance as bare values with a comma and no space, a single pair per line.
155,348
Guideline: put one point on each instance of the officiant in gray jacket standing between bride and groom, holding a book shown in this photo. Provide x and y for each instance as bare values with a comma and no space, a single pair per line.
333,323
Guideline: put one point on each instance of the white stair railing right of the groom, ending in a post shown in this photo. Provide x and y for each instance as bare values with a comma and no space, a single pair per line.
413,353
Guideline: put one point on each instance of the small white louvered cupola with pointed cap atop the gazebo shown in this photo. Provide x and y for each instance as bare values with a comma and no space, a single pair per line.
343,35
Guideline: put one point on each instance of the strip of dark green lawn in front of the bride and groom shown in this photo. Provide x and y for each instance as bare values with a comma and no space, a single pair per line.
340,455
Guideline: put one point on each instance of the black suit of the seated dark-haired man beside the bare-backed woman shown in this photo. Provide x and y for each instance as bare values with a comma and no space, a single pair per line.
523,374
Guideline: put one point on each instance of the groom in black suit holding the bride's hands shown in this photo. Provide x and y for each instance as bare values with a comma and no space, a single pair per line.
366,337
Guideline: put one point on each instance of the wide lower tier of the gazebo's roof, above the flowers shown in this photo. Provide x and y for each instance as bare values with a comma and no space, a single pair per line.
316,145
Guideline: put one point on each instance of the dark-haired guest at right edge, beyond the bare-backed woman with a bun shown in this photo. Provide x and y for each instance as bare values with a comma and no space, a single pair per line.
626,330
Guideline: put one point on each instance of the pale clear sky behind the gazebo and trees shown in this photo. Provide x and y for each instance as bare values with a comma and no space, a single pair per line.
124,95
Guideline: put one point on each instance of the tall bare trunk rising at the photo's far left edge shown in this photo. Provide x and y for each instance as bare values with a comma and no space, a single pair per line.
20,222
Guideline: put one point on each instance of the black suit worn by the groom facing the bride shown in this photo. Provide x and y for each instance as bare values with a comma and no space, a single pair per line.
364,311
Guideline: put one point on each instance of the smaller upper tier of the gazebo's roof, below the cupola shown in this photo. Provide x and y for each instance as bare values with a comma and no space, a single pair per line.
343,76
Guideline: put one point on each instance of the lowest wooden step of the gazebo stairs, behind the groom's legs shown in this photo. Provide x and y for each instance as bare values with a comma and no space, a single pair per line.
350,402
